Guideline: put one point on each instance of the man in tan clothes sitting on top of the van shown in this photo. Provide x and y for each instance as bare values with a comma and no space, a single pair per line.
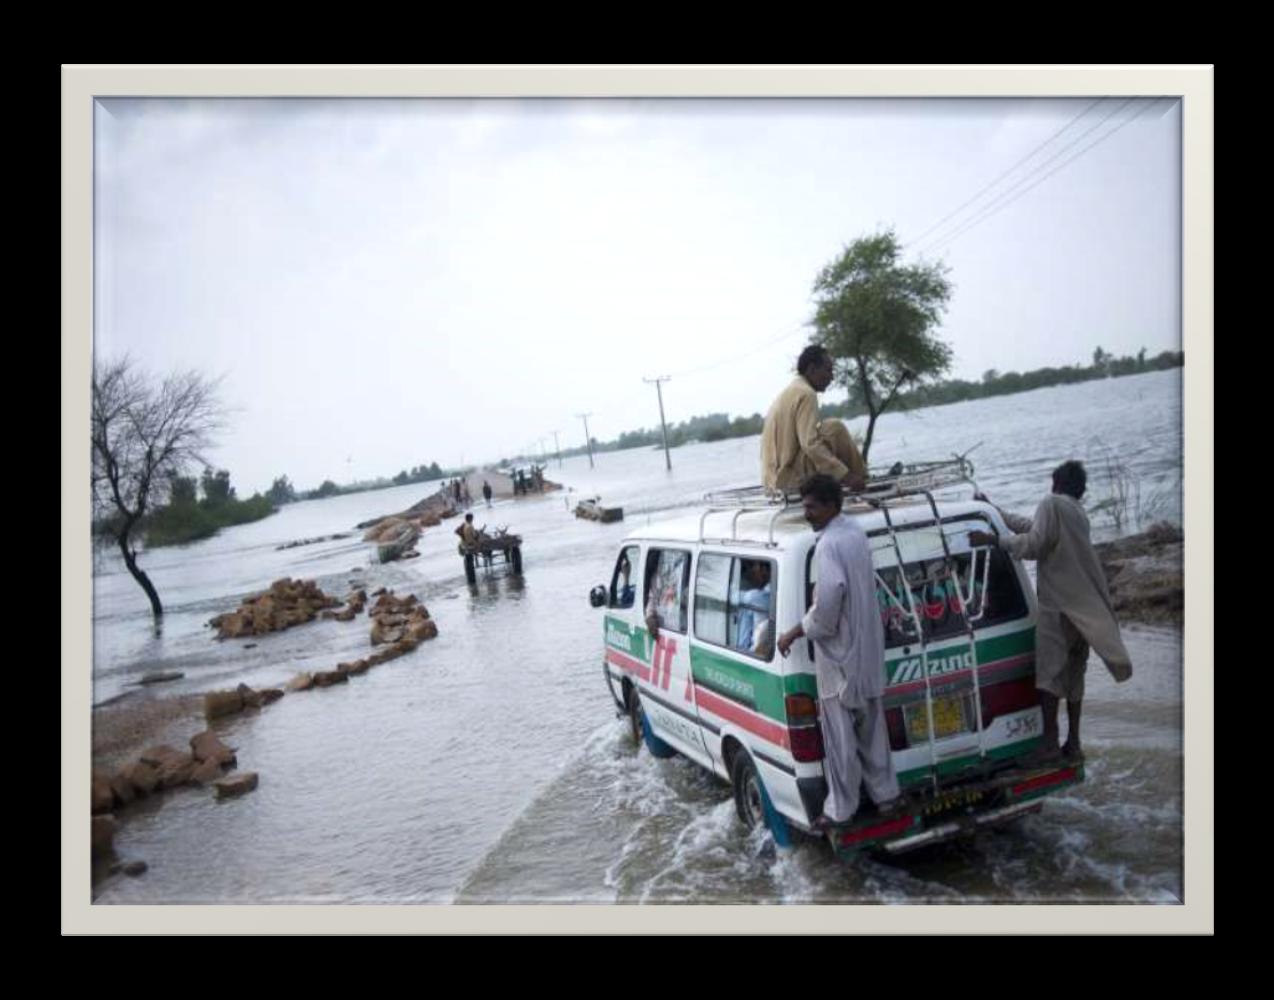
796,445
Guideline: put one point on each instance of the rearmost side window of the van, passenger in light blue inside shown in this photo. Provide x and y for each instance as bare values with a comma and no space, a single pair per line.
734,604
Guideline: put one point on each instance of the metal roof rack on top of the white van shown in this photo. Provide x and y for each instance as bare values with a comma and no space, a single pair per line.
903,480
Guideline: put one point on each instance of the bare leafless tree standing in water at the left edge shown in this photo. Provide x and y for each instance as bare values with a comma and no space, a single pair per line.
146,435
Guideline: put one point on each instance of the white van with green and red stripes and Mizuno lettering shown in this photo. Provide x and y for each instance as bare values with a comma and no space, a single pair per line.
960,694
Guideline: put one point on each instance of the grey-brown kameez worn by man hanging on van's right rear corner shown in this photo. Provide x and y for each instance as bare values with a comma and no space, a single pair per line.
1075,602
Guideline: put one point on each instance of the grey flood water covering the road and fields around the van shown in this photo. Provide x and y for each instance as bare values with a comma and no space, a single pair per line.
489,766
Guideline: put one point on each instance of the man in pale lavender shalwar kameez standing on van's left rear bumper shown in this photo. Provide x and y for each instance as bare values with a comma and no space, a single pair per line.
845,627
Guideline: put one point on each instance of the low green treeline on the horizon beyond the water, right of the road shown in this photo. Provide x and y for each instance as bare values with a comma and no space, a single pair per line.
720,426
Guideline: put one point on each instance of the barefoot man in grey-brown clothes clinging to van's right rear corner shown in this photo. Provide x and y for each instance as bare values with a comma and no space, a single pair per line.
1075,603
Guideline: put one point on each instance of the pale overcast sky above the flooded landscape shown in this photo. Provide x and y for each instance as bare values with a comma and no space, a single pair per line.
390,283
